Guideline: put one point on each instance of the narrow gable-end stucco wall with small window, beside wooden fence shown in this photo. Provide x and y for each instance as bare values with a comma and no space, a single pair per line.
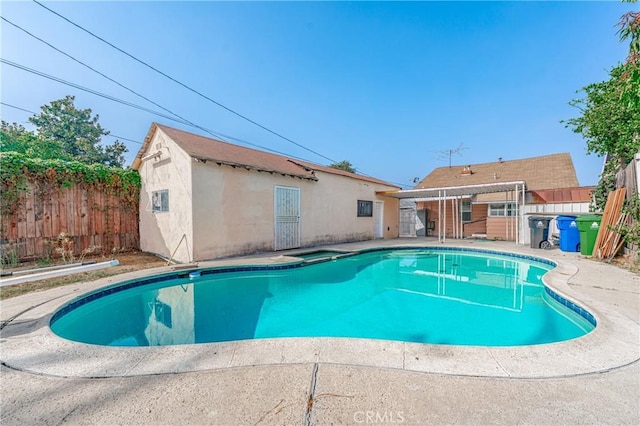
161,232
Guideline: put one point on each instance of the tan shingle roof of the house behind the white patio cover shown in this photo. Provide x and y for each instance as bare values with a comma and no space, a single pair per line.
545,172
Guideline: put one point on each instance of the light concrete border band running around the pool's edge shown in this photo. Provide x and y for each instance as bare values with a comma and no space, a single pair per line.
613,344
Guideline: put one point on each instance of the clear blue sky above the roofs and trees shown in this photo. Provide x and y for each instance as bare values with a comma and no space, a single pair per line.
387,86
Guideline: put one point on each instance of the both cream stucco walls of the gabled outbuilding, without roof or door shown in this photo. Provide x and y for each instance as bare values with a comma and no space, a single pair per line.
219,211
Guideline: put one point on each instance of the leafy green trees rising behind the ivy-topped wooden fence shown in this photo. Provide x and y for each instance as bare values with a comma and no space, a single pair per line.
66,132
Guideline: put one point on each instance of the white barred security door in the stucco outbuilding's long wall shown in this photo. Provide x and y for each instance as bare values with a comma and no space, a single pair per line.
287,217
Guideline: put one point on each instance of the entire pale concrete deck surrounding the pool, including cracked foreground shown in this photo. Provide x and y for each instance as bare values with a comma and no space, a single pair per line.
593,379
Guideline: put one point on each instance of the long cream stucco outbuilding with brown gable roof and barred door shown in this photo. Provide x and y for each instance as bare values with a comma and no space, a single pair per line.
204,199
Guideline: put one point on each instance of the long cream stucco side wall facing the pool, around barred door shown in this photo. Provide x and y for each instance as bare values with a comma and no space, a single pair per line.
233,211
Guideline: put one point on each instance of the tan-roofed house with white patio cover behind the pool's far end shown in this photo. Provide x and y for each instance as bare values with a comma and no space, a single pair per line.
492,199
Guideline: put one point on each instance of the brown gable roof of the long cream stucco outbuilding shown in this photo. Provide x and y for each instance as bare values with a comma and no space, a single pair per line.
216,151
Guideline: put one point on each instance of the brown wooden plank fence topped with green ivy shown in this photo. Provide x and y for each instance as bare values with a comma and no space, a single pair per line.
43,222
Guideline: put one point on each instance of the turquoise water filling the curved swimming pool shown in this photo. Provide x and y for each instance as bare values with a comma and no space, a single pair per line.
426,296
